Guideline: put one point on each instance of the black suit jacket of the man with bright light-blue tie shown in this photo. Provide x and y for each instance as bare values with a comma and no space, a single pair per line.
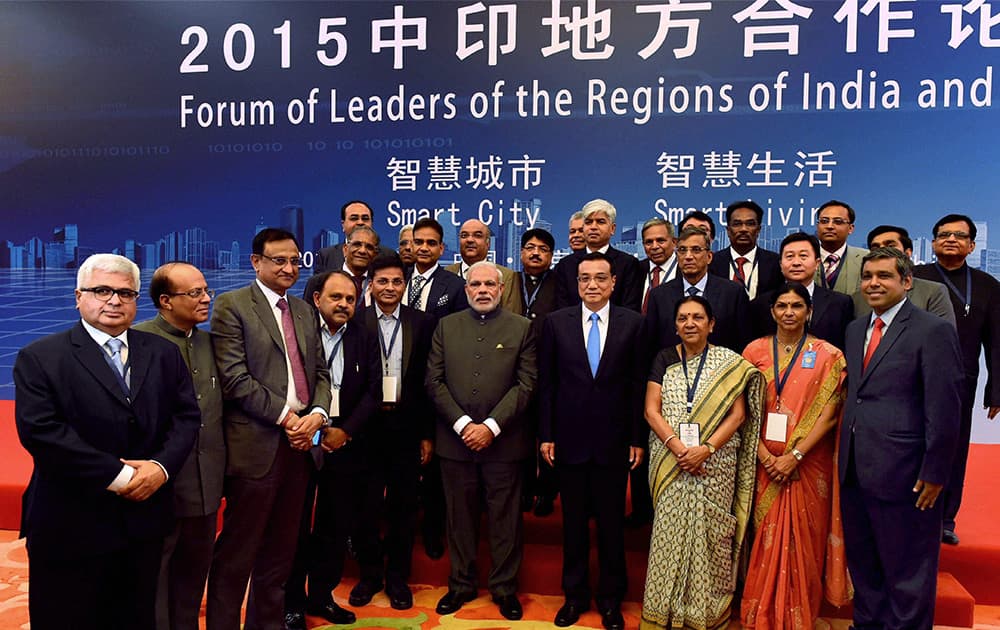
591,417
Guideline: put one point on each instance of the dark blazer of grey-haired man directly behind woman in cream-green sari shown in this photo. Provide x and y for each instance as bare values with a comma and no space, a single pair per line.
729,305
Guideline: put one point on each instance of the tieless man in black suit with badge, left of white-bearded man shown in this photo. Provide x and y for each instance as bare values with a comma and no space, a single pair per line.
405,431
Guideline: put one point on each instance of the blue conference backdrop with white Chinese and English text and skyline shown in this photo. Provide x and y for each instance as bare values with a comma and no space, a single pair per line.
177,130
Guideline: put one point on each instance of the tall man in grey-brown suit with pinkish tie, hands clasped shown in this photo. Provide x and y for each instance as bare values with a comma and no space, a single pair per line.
276,389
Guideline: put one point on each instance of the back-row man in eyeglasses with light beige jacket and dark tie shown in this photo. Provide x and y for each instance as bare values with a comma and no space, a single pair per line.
840,263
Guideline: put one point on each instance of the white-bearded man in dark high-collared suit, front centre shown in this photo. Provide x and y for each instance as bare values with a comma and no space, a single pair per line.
480,376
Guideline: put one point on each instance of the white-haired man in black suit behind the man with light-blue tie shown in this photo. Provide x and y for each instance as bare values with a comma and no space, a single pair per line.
598,226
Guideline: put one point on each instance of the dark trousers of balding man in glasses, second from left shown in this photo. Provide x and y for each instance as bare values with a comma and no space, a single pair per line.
187,555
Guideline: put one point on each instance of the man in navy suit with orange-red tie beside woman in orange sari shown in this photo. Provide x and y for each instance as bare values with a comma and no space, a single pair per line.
897,443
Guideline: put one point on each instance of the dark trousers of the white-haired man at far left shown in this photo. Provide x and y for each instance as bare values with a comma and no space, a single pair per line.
111,591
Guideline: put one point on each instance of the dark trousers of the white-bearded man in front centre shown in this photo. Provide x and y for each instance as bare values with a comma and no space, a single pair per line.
465,483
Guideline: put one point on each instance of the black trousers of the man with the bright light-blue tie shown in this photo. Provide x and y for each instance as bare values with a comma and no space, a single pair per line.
591,488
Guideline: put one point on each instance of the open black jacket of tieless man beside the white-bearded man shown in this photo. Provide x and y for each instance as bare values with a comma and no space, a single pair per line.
413,407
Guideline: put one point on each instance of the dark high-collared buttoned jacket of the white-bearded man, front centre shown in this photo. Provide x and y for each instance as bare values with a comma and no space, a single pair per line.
483,366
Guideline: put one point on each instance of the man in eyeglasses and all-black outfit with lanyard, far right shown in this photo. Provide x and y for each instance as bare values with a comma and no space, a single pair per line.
975,295
